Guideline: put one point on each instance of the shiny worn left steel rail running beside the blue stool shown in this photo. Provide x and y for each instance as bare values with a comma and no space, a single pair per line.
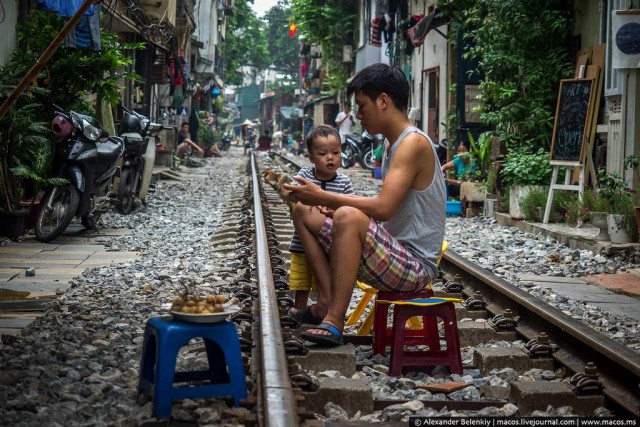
277,393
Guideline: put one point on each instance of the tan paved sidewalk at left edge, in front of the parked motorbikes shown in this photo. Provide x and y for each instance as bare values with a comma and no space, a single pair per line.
23,297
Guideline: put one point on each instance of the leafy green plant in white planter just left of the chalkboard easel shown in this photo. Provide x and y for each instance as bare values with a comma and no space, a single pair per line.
521,172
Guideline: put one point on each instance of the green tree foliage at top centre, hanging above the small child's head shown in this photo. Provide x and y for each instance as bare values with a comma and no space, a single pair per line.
330,24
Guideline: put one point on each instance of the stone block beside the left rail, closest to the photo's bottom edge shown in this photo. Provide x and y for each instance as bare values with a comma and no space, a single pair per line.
351,395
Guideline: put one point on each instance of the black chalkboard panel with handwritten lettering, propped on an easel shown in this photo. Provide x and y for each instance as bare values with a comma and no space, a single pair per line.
572,114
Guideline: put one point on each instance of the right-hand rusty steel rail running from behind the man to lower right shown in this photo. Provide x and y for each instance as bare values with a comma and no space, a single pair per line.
618,366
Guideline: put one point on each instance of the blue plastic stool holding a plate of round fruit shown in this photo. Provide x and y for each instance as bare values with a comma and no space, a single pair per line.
163,339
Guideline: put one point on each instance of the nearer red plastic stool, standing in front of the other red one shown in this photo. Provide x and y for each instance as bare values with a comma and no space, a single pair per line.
450,356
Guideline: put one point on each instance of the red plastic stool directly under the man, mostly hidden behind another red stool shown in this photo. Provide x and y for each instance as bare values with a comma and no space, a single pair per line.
383,332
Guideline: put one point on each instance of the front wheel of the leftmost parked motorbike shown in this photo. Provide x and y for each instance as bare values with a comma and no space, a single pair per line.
53,221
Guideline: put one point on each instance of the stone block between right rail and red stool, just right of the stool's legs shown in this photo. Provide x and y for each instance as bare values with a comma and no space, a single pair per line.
488,359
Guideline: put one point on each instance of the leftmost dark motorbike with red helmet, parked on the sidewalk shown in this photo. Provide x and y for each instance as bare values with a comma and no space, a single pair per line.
86,157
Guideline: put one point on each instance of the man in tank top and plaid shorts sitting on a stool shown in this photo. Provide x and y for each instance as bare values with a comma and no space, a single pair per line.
390,241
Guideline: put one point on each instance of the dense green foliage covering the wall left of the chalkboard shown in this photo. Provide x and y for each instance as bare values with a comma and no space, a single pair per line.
521,49
